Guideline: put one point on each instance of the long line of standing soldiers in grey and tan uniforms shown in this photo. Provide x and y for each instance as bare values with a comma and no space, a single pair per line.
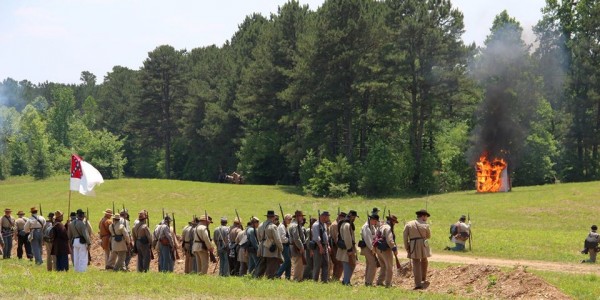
270,248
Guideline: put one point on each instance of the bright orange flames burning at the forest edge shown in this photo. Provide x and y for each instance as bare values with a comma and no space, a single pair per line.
491,175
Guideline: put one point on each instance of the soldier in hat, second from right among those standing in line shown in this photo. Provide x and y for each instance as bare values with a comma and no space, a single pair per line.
386,253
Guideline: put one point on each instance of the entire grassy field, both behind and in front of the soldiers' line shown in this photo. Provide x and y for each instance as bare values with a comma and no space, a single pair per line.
538,223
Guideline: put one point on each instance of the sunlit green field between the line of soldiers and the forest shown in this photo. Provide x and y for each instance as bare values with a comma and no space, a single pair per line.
538,223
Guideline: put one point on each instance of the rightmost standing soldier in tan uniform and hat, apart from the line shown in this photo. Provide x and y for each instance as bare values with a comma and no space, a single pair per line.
416,242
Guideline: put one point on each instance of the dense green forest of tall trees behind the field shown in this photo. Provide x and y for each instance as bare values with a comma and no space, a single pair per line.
358,96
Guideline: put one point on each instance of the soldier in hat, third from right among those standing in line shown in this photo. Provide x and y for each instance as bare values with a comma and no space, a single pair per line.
367,234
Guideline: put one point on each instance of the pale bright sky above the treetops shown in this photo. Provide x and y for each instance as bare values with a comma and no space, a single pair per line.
55,40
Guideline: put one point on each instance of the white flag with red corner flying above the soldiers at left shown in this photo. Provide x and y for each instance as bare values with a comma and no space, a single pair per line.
84,177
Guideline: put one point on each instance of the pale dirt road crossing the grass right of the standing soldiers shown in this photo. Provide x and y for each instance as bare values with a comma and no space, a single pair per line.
574,267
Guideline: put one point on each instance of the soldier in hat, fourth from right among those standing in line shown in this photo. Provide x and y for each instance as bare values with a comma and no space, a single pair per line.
346,251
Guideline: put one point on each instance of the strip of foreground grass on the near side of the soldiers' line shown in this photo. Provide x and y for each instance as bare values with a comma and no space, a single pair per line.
19,279
